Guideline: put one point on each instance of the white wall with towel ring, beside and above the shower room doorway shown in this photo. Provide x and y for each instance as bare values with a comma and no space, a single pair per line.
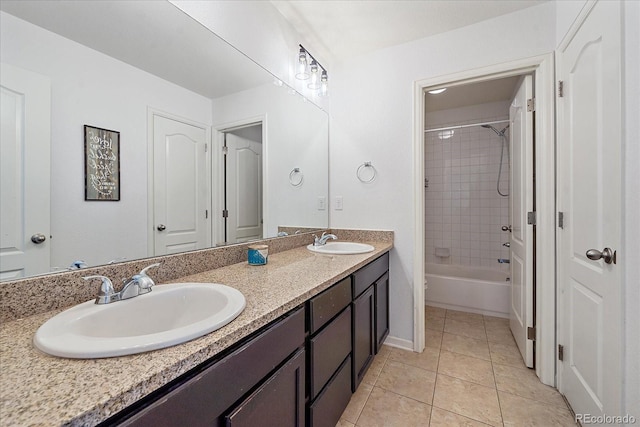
371,119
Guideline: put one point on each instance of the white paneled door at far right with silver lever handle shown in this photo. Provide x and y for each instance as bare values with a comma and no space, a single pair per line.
589,198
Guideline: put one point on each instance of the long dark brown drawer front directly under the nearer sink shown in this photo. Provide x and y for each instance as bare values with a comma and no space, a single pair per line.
202,399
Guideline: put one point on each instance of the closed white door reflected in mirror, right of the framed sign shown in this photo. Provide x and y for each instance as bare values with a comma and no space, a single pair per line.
181,187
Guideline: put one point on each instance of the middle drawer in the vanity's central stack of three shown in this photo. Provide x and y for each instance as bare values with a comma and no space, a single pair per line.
327,351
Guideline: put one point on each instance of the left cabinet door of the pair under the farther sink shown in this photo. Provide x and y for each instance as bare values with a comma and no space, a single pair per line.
363,334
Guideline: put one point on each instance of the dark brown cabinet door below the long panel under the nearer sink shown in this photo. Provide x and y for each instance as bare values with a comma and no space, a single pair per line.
278,402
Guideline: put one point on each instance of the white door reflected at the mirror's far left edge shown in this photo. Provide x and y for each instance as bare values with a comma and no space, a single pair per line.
25,172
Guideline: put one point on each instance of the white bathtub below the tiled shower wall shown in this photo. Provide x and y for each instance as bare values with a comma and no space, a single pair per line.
466,288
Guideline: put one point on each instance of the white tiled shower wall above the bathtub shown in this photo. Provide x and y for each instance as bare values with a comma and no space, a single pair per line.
464,211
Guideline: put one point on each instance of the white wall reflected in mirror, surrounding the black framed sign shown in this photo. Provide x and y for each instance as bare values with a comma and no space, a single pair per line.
88,87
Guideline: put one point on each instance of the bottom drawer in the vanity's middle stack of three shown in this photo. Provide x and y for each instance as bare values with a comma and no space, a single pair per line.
329,406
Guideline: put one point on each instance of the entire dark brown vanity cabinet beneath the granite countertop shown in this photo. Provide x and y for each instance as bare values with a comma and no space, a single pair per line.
298,371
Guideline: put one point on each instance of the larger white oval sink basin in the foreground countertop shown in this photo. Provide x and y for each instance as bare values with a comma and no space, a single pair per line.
169,315
